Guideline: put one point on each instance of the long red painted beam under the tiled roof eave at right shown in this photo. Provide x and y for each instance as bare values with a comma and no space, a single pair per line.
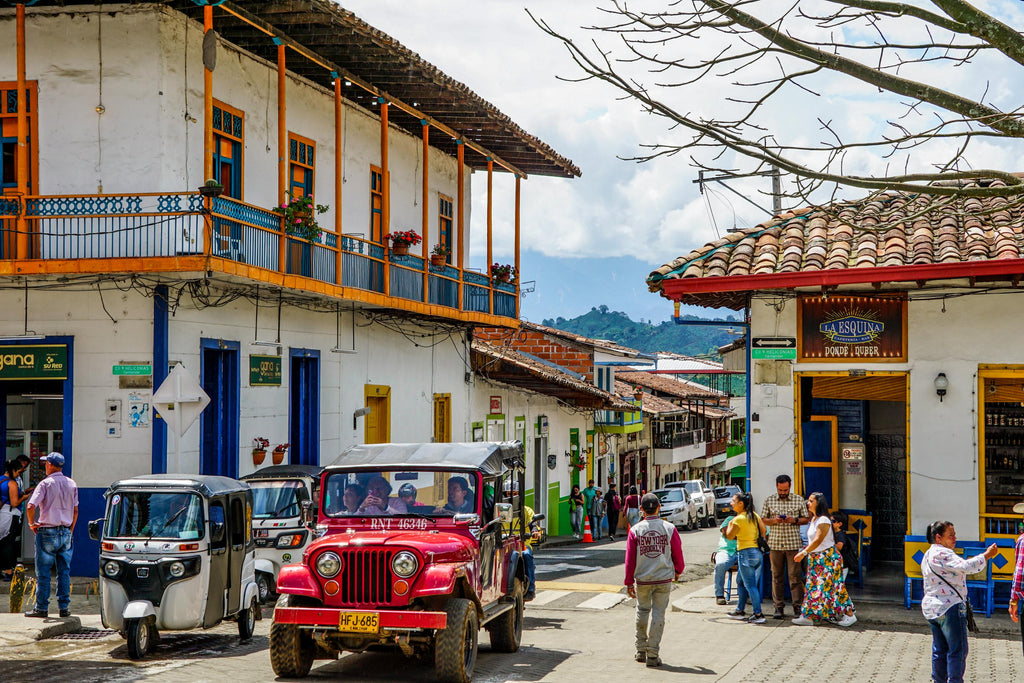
676,288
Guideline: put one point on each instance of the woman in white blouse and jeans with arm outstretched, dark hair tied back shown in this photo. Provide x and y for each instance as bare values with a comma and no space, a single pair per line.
946,588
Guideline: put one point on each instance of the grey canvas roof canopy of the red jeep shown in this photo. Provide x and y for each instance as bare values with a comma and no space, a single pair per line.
484,456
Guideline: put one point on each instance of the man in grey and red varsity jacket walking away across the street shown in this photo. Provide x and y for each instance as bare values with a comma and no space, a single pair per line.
654,561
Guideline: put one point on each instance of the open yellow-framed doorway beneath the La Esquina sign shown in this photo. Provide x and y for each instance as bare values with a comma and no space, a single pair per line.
854,448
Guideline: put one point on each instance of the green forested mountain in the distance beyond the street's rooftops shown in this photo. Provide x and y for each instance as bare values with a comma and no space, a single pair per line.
666,336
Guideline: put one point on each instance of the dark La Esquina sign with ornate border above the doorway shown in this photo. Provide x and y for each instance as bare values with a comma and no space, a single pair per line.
839,329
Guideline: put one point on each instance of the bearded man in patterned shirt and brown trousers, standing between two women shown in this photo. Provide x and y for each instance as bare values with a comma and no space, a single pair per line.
784,511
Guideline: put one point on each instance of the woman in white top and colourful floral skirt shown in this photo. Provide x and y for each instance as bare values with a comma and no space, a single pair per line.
825,593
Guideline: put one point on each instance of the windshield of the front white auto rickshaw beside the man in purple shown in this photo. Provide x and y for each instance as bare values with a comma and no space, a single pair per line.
155,515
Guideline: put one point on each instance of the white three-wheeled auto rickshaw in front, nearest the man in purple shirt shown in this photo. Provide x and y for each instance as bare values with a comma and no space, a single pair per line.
177,553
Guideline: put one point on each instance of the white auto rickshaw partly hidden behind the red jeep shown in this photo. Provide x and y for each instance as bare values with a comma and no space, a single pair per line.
285,508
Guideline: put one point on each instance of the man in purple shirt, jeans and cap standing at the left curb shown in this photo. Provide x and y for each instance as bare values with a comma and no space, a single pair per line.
53,513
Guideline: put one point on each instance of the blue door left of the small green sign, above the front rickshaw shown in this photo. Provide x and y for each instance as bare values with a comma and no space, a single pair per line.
220,422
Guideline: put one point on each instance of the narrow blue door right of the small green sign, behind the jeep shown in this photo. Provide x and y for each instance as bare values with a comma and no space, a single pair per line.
304,419
